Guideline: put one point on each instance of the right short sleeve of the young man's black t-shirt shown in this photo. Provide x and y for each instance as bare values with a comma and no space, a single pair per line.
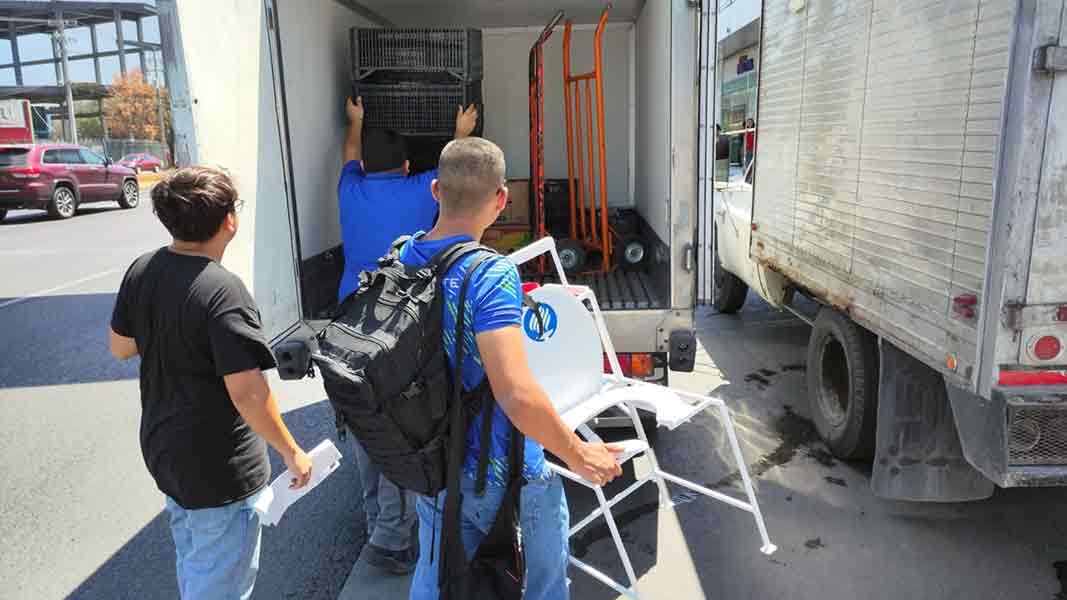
236,333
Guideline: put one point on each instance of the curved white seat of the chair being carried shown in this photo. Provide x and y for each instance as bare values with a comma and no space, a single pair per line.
668,407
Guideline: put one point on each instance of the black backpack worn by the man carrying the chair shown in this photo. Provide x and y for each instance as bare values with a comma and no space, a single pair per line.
386,371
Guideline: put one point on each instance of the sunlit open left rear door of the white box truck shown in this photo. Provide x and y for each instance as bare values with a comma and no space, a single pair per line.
205,113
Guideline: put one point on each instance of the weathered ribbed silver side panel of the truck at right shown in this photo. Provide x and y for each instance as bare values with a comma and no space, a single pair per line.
878,138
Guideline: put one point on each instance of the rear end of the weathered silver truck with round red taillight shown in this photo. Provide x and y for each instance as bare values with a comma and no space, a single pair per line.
1025,339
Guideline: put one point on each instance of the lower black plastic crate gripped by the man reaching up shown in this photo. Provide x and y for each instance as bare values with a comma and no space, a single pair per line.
419,109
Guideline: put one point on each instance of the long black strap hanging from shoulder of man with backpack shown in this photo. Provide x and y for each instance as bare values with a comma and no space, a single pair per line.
453,551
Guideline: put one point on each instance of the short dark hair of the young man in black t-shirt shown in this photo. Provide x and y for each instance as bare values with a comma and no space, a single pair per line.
194,202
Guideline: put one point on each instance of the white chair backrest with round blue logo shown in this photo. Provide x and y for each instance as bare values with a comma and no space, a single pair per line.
568,360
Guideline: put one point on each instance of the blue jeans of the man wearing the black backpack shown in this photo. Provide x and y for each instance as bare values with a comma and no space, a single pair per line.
545,524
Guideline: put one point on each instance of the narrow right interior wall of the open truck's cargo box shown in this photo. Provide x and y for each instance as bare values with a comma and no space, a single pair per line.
652,196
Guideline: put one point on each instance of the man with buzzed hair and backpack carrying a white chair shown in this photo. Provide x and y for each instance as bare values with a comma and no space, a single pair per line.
471,191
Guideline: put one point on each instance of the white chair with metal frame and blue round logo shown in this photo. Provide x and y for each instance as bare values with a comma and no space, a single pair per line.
567,359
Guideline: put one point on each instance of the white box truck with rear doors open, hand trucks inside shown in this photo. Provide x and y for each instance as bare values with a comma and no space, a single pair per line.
259,88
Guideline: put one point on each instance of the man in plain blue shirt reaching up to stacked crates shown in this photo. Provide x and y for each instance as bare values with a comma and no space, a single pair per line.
379,203
